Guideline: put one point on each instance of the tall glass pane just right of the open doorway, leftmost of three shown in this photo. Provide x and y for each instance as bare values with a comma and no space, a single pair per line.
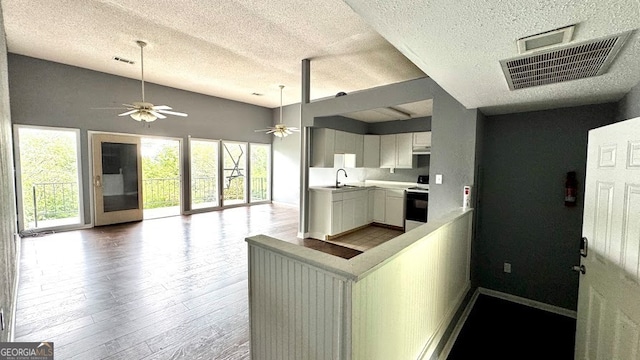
204,174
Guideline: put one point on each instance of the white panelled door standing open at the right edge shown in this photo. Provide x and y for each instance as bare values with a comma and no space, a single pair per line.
608,325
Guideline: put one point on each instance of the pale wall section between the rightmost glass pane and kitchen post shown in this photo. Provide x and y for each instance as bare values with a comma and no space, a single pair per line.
286,159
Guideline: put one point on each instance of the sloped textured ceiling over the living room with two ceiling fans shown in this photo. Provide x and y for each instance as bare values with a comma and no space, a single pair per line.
224,48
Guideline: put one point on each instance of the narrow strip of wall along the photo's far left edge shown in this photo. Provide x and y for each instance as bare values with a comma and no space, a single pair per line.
9,250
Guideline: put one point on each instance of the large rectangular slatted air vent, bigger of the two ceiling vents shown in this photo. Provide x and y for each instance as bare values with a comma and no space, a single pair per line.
573,62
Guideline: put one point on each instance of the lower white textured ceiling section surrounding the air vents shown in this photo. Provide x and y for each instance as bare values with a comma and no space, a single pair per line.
459,45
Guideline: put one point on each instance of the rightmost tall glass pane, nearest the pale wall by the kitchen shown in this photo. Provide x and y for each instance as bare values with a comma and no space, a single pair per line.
260,163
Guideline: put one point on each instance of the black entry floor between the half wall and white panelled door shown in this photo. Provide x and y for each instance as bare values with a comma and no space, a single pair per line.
500,329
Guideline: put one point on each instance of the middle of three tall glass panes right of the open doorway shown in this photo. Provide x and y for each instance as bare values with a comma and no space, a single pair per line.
234,158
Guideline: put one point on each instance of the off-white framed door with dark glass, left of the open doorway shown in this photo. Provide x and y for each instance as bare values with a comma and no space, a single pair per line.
117,179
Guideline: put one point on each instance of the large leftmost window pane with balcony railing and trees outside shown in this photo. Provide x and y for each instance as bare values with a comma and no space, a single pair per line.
49,177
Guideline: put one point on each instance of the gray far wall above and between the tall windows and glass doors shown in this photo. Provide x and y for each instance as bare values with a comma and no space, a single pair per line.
52,94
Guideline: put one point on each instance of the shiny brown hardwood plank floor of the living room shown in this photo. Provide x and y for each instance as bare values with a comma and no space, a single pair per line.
170,288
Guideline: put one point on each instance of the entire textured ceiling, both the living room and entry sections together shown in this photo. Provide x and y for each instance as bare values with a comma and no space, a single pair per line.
234,48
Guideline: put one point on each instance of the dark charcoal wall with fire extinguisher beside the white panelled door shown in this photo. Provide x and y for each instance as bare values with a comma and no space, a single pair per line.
522,217
